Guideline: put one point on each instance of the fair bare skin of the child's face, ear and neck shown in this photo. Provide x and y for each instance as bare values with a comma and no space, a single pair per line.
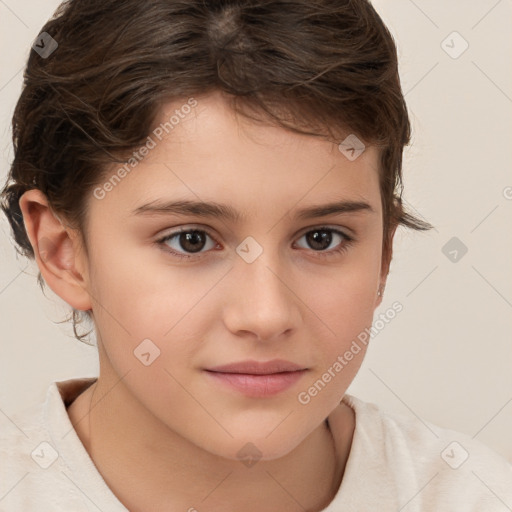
166,436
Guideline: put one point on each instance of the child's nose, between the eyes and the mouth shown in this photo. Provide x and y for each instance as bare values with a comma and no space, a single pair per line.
261,302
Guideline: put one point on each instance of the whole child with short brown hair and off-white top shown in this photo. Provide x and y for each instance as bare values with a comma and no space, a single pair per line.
216,186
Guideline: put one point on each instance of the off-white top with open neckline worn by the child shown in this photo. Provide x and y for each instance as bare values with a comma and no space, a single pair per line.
395,464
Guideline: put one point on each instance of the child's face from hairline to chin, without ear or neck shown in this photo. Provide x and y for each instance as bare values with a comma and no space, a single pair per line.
294,302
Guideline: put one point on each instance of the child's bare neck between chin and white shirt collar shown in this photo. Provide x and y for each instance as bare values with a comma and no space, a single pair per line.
161,470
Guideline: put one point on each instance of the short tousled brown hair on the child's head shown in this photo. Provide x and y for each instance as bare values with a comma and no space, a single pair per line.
328,66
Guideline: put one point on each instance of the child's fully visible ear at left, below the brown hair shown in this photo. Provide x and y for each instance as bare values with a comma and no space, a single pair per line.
57,250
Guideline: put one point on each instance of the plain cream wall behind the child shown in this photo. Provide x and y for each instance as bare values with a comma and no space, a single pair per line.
447,357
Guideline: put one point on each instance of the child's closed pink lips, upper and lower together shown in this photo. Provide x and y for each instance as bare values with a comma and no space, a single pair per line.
258,379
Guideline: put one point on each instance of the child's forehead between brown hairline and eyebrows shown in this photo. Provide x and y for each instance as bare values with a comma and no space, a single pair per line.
208,152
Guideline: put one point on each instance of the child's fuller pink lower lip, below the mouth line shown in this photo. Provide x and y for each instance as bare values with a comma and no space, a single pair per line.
258,386
